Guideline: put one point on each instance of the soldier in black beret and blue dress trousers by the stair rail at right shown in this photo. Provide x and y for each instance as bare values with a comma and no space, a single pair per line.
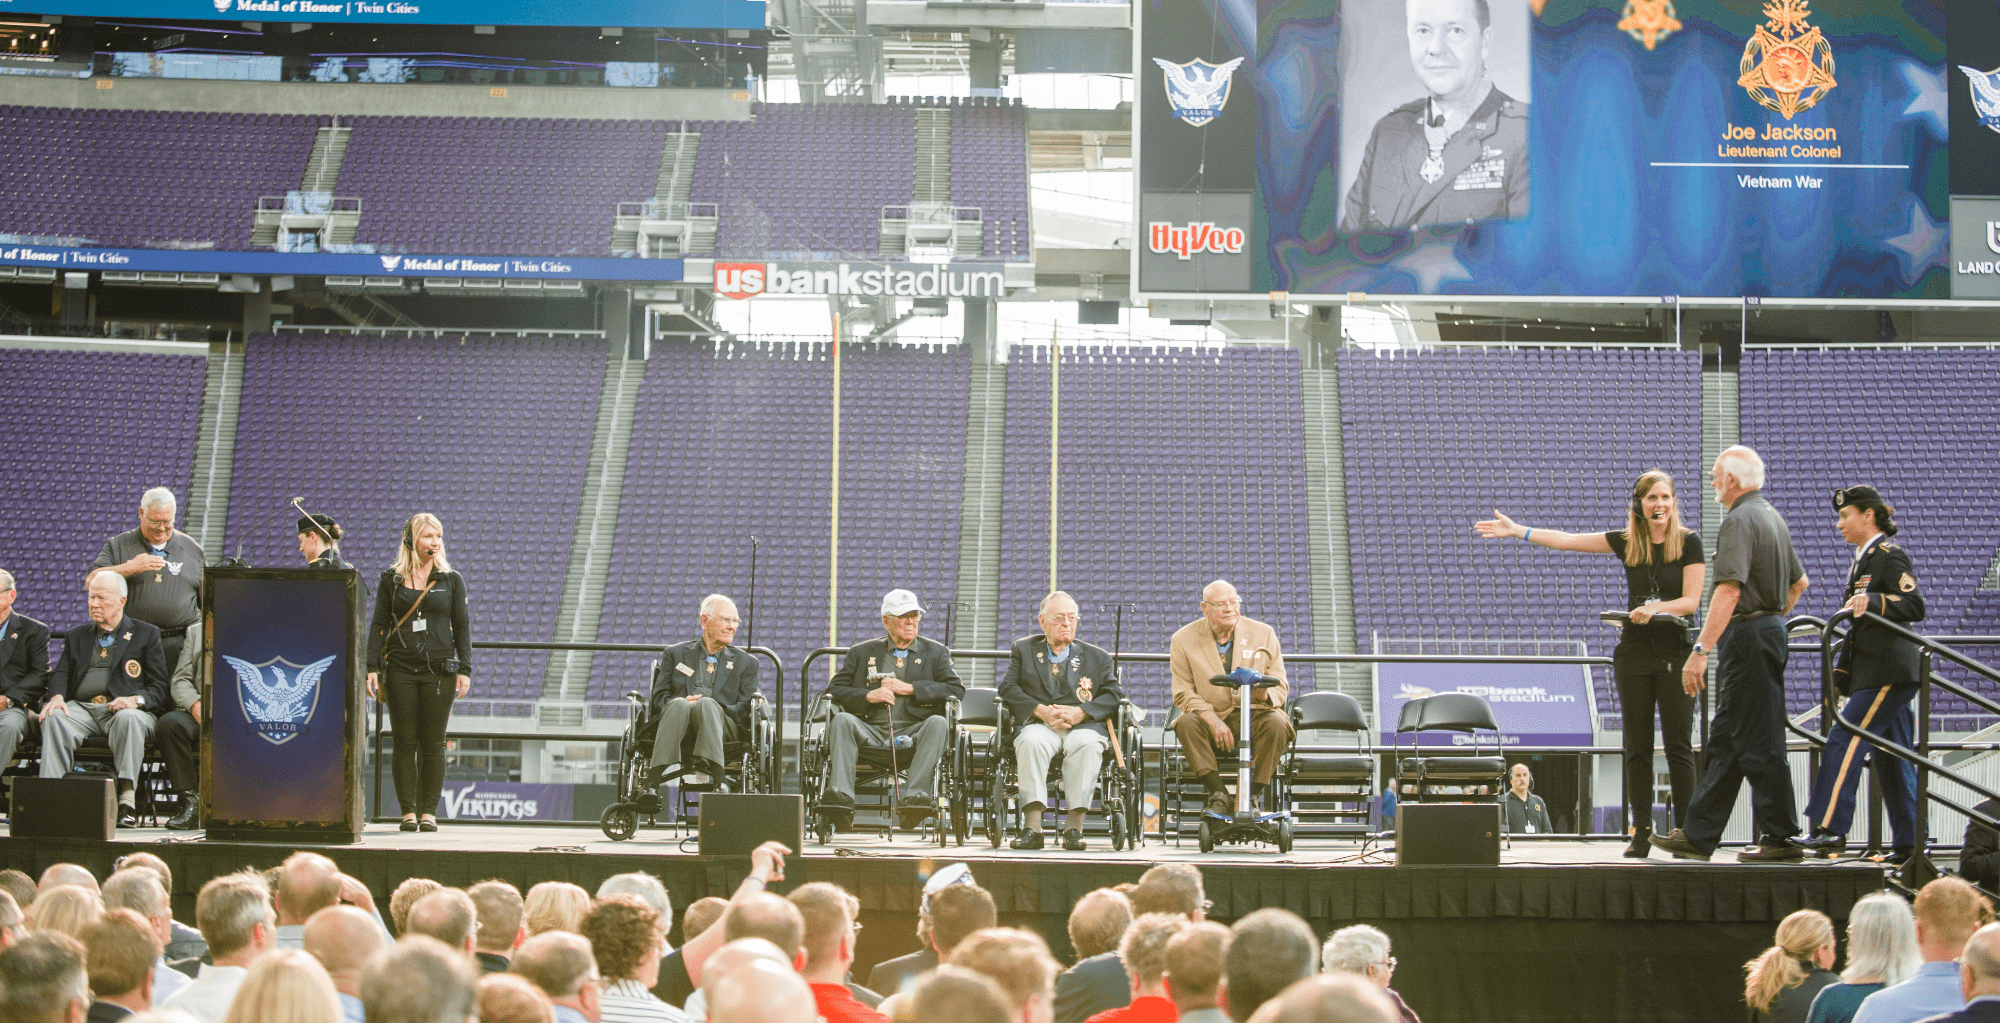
1877,674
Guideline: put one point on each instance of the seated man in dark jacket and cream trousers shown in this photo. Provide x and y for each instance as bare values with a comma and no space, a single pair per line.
1063,692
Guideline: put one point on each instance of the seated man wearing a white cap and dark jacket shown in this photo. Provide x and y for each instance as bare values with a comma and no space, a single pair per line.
893,682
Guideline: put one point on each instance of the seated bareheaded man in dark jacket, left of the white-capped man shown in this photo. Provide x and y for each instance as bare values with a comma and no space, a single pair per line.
705,686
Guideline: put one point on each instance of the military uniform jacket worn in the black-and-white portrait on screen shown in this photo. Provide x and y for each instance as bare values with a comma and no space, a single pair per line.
1481,175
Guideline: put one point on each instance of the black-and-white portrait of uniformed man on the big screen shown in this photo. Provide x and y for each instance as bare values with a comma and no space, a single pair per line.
1453,147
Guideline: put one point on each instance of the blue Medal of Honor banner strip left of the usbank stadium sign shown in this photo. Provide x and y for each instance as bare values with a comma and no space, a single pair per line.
335,265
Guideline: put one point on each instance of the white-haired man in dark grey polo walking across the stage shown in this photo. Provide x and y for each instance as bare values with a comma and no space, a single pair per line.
1759,578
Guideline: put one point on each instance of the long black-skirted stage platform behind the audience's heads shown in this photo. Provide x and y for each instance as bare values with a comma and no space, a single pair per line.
1557,932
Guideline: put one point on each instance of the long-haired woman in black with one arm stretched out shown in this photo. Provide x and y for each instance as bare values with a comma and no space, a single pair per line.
1663,578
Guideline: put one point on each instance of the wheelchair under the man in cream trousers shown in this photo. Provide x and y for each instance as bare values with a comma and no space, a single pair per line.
1121,780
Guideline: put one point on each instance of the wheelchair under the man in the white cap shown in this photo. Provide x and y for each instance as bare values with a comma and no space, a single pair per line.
877,772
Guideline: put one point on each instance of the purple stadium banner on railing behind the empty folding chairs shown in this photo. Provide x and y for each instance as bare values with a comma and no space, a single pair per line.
1535,704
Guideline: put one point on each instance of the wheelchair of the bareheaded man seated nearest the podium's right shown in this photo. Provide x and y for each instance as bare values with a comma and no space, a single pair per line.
751,766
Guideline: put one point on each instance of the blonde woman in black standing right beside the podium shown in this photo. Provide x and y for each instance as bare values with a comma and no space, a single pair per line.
421,660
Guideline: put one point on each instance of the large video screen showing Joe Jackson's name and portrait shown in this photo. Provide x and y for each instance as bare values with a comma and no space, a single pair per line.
1779,149
